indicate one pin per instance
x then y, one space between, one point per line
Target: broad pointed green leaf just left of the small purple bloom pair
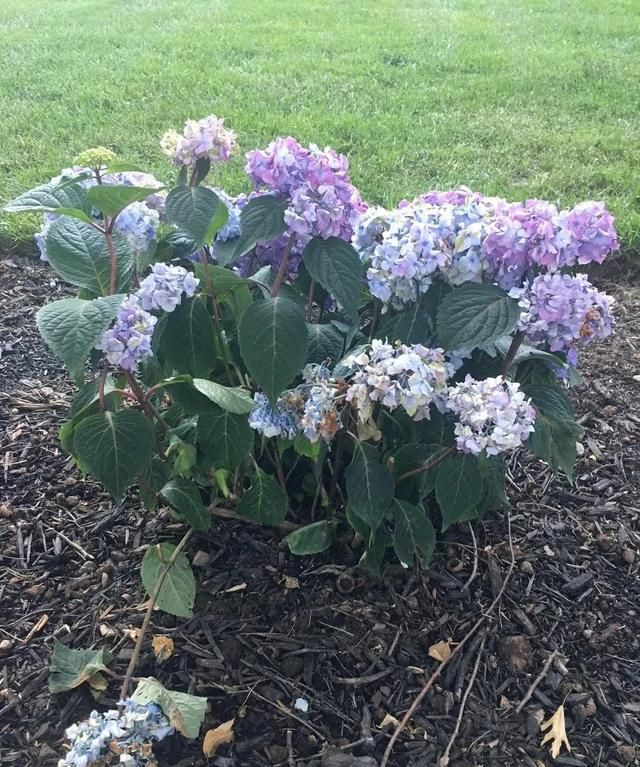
71 327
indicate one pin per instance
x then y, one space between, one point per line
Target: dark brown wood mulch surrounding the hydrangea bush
270 629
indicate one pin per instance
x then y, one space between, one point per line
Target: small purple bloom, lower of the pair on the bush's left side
128 342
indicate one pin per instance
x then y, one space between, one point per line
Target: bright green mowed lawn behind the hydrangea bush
521 98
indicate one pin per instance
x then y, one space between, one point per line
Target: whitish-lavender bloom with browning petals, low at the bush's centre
412 377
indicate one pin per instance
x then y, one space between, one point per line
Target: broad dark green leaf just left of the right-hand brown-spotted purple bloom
475 315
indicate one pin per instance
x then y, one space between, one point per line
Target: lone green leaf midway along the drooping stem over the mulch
178 590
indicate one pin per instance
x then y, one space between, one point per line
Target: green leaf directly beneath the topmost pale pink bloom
197 211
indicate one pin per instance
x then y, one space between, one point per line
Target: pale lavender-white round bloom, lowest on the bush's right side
493 415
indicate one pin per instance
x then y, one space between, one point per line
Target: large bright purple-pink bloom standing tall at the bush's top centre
322 200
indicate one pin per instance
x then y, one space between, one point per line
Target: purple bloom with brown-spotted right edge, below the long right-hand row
564 312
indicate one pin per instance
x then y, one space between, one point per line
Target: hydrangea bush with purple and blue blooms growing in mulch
293 352
